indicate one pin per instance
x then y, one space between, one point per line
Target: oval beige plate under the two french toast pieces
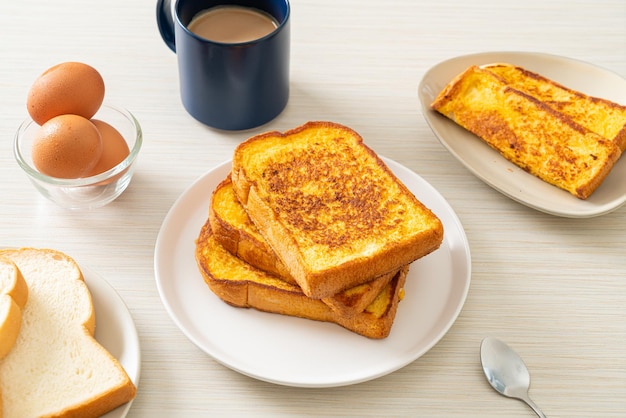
487 164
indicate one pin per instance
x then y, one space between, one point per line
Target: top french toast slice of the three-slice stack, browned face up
329 207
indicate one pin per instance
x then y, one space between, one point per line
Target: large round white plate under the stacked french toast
300 352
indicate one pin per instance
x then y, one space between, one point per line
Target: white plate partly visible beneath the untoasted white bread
115 330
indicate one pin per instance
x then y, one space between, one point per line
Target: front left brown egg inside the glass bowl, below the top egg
67 146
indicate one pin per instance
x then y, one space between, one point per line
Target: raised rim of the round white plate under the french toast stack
160 266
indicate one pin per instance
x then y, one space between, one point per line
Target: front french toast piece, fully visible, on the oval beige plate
528 132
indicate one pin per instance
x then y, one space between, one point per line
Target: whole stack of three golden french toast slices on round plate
311 223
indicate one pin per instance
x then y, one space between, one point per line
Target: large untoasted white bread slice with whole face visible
56 367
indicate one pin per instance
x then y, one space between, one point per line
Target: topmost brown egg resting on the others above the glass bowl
67 88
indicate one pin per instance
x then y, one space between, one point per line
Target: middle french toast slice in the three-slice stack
234 230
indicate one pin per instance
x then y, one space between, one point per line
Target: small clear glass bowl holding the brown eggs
87 192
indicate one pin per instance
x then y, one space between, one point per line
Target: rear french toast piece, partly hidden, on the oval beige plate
601 116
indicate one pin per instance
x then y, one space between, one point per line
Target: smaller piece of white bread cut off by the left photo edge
13 296
